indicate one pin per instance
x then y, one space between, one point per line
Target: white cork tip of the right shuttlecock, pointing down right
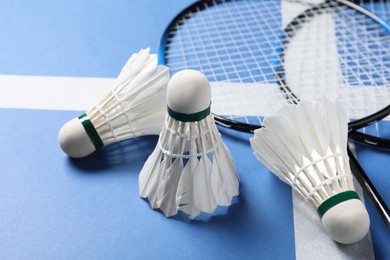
347 222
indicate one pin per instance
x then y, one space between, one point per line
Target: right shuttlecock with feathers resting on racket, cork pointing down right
305 145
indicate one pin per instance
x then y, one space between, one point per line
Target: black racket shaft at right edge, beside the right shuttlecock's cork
369 188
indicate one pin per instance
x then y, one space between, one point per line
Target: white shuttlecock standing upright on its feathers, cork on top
191 169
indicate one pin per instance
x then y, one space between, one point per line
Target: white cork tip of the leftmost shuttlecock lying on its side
74 140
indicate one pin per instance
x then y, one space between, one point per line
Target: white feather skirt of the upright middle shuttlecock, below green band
194 185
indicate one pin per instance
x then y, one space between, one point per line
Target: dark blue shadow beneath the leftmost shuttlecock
127 153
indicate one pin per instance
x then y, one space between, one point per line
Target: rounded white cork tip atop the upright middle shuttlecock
188 92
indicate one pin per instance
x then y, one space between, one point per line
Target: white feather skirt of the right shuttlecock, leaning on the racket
301 145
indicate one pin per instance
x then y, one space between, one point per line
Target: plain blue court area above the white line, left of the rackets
79 38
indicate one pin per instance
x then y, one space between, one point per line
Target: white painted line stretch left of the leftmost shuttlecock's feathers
53 93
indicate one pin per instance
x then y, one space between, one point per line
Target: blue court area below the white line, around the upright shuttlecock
56 207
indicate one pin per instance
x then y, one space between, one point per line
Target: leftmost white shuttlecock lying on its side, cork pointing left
135 106
